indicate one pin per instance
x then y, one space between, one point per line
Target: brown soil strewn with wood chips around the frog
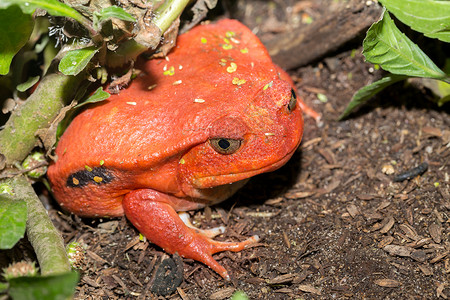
333 222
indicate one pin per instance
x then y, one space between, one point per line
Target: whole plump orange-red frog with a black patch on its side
188 132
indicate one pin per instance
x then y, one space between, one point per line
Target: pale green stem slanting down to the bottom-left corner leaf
43 236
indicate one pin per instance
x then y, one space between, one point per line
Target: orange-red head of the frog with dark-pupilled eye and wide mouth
251 138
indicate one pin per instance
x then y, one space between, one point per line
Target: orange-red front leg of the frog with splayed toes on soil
153 213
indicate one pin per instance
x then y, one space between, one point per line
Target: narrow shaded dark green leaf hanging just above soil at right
367 92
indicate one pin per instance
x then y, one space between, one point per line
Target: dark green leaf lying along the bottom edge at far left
60 286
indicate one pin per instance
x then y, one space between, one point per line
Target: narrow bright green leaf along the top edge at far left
53 7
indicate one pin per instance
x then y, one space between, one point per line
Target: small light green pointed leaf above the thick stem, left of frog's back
76 60
